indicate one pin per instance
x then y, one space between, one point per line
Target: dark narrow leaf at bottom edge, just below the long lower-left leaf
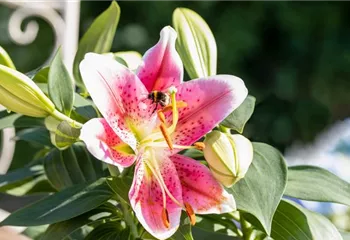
61 230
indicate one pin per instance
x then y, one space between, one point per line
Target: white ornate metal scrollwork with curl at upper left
63 17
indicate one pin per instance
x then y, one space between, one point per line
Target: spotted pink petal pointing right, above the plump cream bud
209 101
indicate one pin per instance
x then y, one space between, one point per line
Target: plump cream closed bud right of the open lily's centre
229 156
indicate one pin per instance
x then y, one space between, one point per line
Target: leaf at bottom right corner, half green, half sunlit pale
291 221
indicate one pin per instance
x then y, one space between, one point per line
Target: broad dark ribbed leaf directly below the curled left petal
72 166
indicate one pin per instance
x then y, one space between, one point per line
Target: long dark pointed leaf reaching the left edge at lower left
61 206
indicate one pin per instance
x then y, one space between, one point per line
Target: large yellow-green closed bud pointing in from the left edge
20 94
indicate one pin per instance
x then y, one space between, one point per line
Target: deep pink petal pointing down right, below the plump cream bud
200 189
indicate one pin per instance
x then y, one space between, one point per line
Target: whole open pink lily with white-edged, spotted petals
165 183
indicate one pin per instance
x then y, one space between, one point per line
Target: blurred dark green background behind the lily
294 56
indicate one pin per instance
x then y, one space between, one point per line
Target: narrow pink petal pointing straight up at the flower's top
162 66
